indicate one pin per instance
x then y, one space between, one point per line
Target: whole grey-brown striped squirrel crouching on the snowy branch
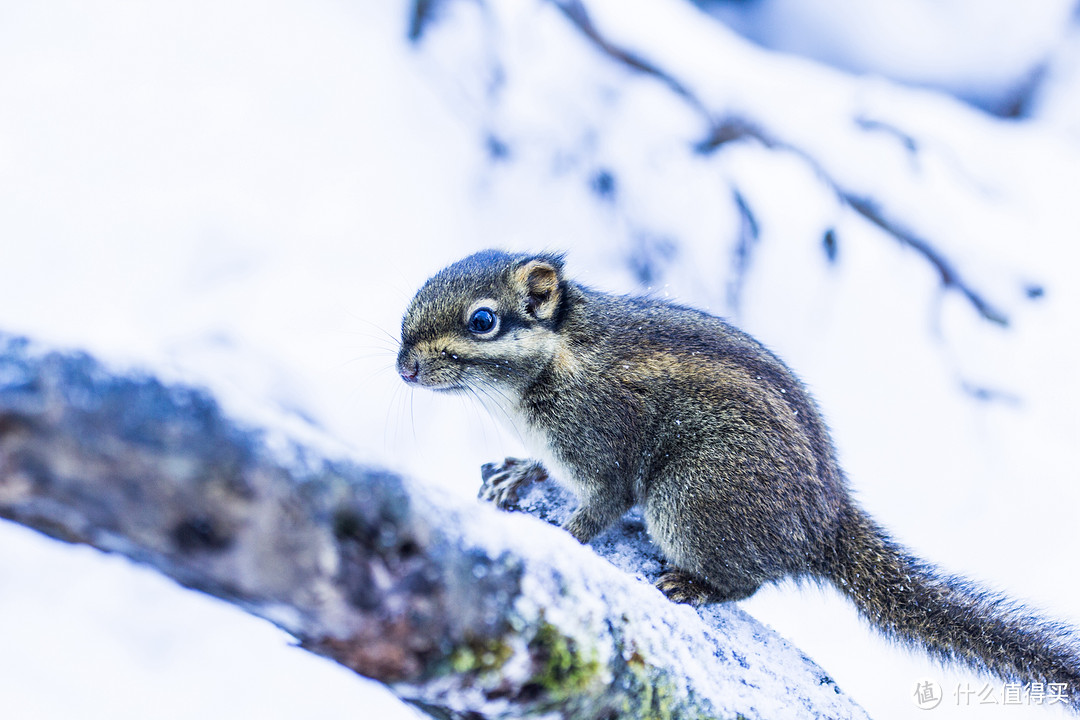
640 401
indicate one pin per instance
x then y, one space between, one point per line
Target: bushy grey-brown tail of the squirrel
950 617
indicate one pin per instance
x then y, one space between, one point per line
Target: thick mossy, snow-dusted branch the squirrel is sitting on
458 609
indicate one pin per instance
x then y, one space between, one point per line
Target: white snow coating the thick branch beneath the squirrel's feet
728 659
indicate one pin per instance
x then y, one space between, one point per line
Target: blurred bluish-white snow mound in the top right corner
981 50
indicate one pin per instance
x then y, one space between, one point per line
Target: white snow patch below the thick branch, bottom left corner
91 636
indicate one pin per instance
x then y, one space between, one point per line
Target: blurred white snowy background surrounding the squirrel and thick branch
246 196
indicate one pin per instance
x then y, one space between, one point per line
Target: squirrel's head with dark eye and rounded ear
489 322
